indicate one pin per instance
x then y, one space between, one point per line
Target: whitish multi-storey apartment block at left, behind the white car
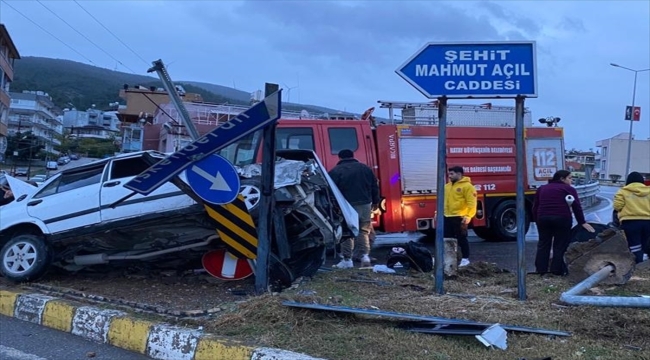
34 111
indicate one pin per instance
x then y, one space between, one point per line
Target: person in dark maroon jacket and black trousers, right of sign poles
552 213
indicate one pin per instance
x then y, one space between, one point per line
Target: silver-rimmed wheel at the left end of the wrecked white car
33 254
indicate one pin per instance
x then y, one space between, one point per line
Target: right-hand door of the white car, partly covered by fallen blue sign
166 198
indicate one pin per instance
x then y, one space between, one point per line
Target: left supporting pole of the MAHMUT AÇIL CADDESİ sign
440 189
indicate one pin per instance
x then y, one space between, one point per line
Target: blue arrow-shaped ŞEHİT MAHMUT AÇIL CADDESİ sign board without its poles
473 70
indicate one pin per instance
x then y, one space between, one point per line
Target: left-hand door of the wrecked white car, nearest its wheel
70 201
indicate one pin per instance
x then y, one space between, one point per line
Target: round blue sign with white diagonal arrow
214 179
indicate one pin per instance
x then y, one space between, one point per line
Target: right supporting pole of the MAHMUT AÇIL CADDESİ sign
521 204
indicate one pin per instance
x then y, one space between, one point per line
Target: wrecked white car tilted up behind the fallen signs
70 221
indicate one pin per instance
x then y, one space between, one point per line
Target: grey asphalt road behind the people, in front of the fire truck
503 253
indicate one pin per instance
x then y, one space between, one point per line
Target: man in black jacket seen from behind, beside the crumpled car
359 186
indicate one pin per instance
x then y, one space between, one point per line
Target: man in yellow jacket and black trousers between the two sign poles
460 208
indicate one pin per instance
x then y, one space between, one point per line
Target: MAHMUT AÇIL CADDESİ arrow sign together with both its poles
476 70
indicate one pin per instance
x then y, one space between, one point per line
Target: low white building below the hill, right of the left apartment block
92 123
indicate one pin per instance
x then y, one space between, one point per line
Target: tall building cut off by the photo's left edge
8 53
